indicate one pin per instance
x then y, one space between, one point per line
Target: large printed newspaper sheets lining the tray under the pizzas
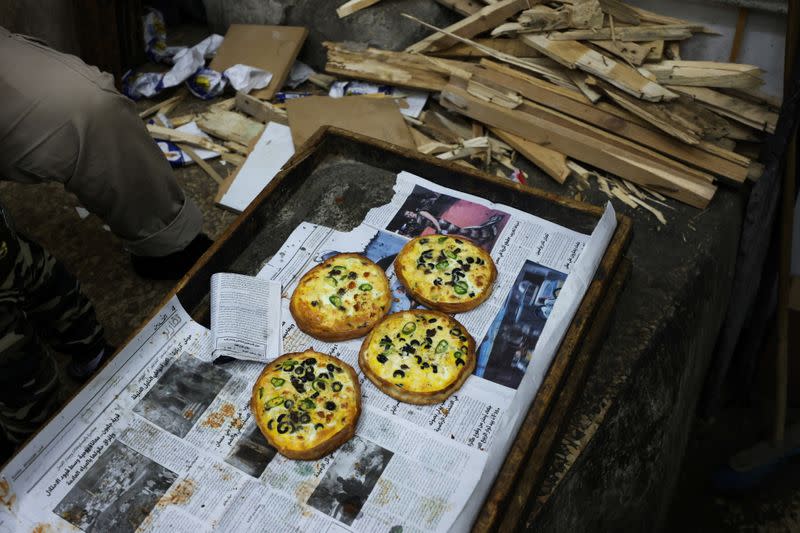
163 438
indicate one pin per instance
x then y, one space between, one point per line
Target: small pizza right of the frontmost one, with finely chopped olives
418 357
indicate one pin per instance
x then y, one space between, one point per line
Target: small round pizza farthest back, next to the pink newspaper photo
446 272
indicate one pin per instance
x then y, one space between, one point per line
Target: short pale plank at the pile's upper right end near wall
707 74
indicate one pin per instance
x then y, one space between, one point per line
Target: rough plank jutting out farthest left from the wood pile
383 66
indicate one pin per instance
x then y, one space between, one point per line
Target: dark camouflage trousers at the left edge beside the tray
41 306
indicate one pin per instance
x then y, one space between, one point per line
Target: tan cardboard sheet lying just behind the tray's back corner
376 117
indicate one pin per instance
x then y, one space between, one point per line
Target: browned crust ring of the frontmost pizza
342 433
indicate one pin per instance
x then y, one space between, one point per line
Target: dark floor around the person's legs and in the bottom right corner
123 301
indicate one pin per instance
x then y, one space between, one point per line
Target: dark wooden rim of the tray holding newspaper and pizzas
509 499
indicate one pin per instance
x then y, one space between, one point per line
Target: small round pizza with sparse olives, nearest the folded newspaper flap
341 298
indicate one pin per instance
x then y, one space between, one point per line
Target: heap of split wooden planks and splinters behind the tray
597 82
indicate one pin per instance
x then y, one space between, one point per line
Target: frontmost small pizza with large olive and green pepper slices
306 404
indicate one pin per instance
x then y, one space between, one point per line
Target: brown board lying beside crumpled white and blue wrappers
272 48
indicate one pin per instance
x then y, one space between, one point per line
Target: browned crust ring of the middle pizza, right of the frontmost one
368 351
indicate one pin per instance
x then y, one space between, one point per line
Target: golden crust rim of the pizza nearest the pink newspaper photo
406 267
